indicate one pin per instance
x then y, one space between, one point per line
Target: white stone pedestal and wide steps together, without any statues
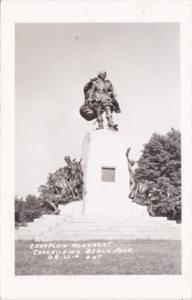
106 212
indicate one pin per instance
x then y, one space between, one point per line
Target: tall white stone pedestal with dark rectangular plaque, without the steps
106 177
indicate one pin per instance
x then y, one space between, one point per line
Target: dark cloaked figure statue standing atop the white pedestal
100 98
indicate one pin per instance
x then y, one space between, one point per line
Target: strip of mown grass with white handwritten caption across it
121 257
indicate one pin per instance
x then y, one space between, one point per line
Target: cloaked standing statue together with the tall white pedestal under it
106 178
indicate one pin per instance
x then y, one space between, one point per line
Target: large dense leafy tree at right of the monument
160 167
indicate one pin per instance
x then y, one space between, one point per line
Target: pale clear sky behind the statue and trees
55 61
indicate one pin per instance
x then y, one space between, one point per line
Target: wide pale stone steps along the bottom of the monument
68 228
